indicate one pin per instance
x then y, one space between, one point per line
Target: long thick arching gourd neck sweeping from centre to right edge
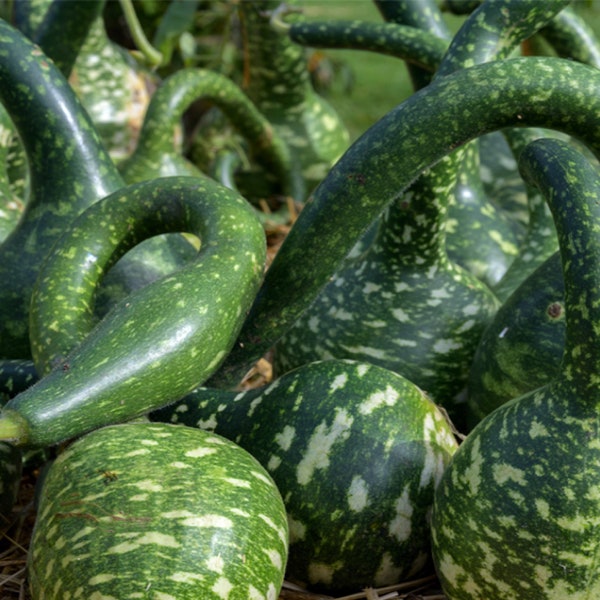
529 91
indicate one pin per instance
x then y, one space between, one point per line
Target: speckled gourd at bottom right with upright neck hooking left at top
516 513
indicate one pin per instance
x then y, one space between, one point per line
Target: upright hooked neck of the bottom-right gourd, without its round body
571 187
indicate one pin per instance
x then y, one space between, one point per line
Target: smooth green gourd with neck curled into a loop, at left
160 342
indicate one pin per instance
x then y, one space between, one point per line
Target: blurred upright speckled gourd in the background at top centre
278 82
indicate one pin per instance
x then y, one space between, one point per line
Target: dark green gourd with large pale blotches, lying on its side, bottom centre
356 452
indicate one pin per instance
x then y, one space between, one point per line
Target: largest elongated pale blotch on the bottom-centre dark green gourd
320 443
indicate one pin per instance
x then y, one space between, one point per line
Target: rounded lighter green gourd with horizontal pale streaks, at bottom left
161 511
